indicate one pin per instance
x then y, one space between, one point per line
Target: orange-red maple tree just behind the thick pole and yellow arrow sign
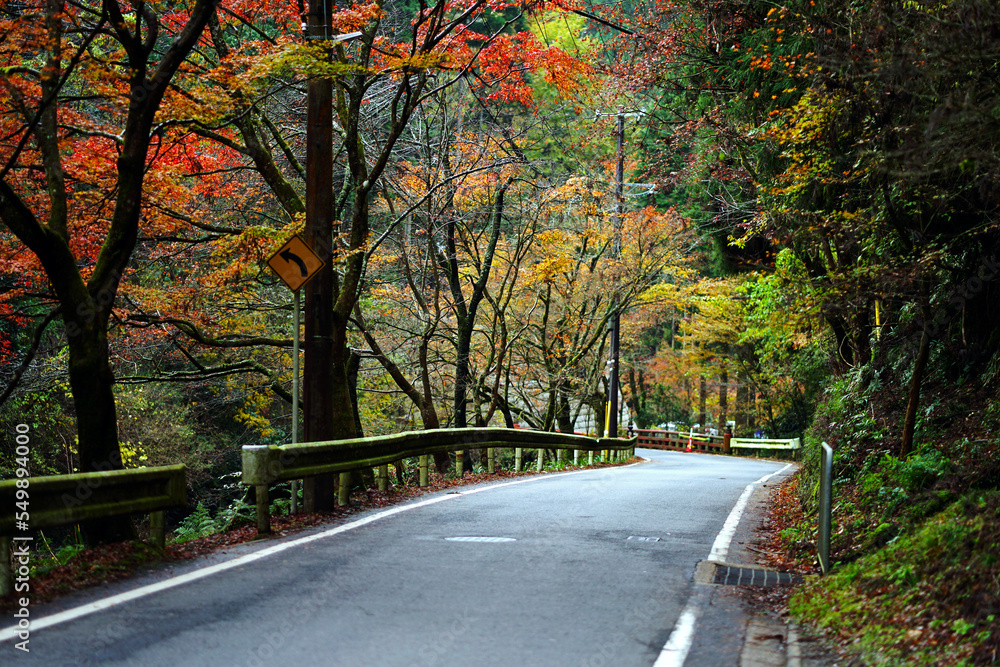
223 123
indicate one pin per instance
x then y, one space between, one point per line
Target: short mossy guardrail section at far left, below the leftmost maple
31 503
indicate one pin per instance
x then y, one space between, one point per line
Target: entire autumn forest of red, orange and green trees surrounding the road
808 246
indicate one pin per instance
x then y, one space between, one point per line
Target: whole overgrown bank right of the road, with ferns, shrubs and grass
917 540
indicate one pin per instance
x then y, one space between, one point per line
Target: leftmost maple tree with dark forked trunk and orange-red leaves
82 242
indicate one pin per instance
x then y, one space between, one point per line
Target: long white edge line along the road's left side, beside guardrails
115 600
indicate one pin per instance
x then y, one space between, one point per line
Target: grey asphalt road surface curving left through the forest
587 568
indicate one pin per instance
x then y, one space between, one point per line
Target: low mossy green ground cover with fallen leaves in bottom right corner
896 605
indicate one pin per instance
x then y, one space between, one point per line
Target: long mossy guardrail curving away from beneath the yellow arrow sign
264 465
